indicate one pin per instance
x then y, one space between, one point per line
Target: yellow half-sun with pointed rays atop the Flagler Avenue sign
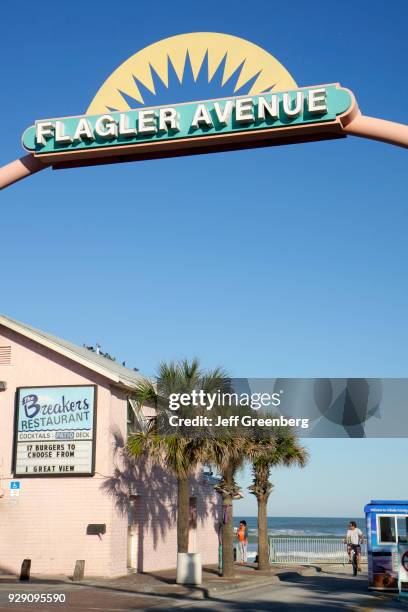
204 64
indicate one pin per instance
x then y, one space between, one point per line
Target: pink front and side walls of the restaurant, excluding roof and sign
47 522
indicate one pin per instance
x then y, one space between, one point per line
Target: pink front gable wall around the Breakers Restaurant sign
47 522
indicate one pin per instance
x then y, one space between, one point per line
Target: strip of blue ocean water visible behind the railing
298 526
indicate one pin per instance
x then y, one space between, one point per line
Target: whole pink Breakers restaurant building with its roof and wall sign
65 492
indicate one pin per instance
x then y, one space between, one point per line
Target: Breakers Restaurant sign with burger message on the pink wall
54 433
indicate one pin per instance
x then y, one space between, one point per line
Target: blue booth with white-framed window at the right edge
387 533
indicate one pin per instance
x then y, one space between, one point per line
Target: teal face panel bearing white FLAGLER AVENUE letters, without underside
115 129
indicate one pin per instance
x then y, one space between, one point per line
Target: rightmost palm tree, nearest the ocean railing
281 447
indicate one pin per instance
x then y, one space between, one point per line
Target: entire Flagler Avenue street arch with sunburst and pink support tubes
245 99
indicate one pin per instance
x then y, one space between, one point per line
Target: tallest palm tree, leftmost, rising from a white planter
181 455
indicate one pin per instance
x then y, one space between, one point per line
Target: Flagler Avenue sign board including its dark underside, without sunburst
236 122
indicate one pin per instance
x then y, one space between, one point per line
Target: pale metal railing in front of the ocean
309 550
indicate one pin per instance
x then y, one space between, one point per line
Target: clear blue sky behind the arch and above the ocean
286 261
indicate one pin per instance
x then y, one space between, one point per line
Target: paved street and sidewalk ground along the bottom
290 588
